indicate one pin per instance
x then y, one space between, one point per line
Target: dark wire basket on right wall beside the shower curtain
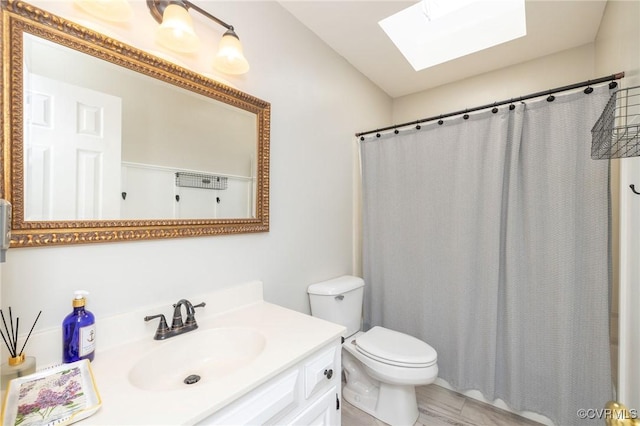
616 134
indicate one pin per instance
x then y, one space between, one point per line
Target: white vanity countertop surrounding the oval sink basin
290 337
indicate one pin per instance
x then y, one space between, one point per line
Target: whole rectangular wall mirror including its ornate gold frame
103 142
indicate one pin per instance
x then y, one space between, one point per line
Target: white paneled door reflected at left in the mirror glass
72 151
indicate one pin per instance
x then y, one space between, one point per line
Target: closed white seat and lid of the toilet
395 348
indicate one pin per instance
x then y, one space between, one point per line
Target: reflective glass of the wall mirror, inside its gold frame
104 142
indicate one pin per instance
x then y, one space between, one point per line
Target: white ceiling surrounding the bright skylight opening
351 29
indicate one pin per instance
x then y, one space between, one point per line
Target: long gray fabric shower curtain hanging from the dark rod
488 239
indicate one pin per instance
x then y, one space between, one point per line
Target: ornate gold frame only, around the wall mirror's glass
19 18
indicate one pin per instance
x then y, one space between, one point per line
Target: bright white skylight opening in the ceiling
435 31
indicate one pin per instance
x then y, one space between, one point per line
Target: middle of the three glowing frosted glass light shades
176 31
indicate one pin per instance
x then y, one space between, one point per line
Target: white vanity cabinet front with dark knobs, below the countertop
308 393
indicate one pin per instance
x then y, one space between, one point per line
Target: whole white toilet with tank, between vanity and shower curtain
382 367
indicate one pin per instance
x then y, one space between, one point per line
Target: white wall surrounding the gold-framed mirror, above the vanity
318 102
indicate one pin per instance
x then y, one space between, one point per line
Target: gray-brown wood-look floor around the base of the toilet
442 407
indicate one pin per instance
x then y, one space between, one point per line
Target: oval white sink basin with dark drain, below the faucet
203 355
